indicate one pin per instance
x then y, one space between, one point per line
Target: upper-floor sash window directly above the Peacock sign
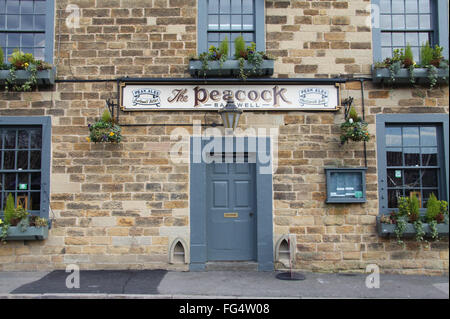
220 19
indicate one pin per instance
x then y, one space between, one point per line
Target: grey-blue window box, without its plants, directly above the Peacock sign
230 68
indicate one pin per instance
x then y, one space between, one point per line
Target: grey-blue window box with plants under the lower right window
407 221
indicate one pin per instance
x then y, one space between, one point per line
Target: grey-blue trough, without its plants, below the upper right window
383 75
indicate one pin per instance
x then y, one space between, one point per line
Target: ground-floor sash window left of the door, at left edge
25 163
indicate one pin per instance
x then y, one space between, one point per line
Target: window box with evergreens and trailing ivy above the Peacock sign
247 62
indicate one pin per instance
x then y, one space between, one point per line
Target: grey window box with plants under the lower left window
18 224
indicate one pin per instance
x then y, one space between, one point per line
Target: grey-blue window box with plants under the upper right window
402 69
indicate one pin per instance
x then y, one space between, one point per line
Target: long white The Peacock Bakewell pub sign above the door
174 96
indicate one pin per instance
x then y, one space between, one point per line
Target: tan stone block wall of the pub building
127 205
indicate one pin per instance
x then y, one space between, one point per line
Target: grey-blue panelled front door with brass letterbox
231 211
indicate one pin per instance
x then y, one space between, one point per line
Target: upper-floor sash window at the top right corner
412 22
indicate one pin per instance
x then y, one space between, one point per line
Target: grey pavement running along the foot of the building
162 284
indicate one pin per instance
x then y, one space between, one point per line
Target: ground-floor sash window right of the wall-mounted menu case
412 158
